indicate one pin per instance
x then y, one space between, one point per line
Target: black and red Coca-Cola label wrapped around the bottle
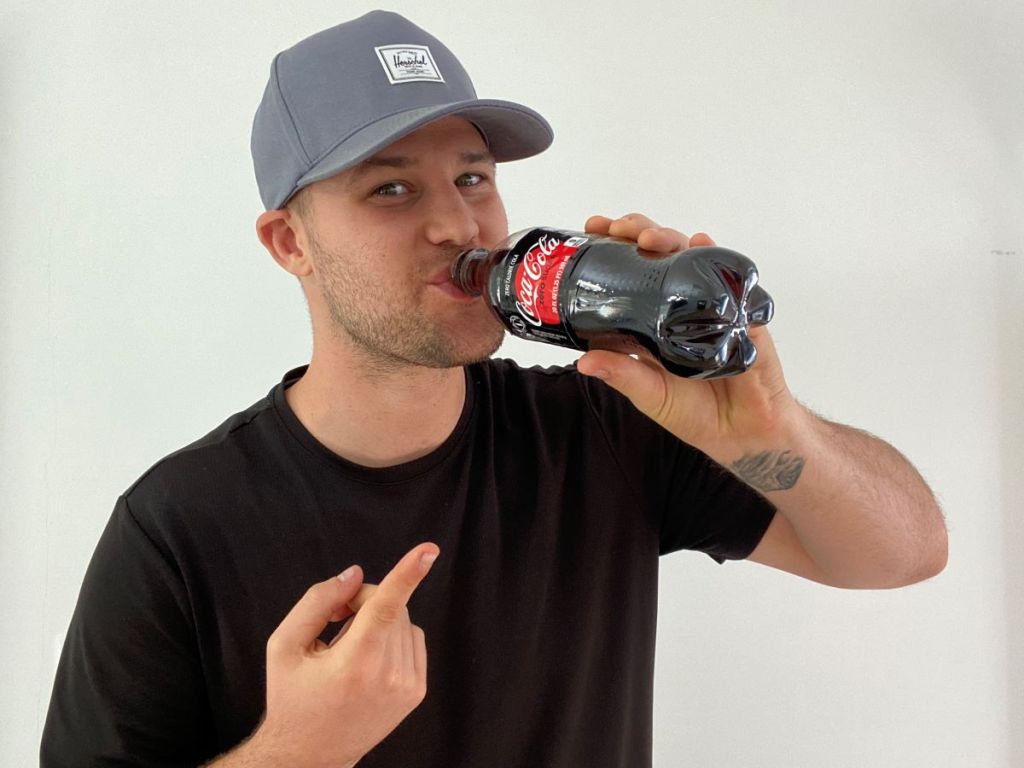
532 278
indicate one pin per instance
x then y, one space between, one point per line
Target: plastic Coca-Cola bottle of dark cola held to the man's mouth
691 309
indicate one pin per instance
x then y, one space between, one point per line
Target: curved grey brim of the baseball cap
513 133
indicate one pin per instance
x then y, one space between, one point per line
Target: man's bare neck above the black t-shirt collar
376 415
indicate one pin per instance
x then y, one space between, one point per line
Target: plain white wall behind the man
869 156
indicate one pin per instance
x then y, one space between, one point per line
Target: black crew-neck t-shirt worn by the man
551 502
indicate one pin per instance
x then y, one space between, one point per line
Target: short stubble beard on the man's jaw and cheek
396 332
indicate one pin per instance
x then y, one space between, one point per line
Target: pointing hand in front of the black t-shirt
327 706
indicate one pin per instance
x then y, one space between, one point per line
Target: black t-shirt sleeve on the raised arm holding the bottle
697 503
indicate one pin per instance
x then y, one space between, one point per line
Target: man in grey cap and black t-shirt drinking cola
538 500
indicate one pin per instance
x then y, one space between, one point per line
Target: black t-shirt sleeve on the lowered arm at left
130 686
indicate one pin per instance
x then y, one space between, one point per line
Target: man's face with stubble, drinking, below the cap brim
382 239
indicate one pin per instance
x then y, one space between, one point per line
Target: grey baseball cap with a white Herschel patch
344 95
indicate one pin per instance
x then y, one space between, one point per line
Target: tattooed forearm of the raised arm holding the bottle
862 513
